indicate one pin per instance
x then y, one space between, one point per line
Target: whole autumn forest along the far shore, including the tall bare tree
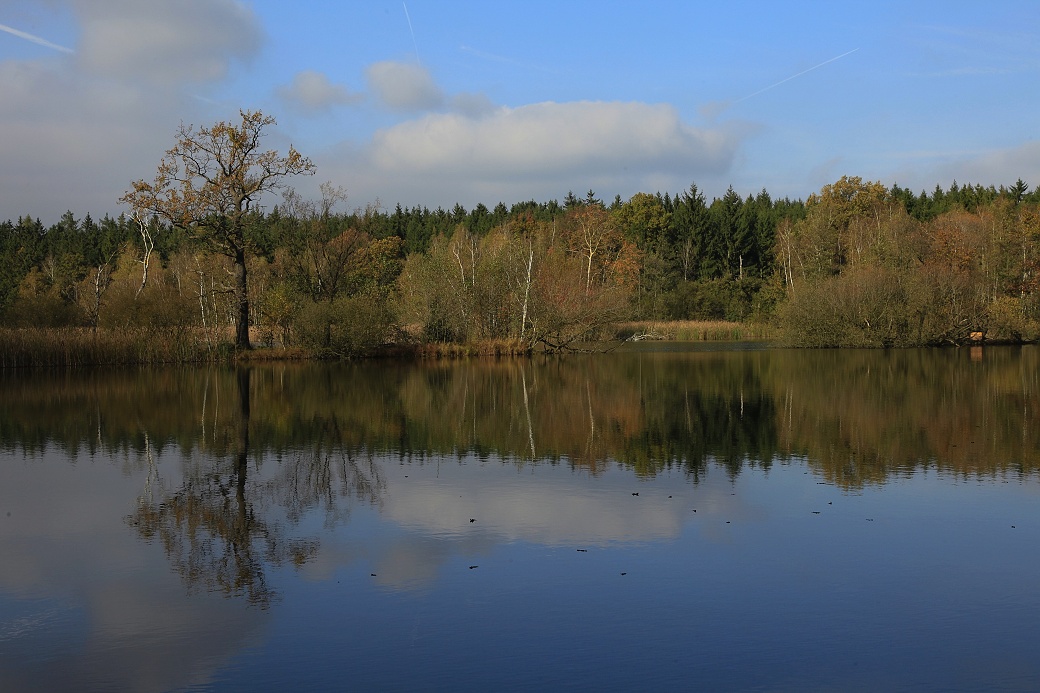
857 264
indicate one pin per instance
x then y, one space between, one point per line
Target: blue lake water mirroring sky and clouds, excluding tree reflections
926 583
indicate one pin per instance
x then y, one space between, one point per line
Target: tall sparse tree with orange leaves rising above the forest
210 185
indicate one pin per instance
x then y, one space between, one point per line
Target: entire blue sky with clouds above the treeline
433 104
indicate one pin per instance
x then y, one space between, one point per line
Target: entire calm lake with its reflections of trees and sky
663 518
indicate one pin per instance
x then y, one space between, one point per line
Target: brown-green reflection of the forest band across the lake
855 417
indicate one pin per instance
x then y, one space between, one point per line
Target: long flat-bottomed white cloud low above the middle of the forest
536 152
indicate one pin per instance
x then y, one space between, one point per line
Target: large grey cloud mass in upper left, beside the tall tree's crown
79 130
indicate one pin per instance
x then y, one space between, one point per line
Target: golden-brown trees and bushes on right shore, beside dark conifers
860 271
